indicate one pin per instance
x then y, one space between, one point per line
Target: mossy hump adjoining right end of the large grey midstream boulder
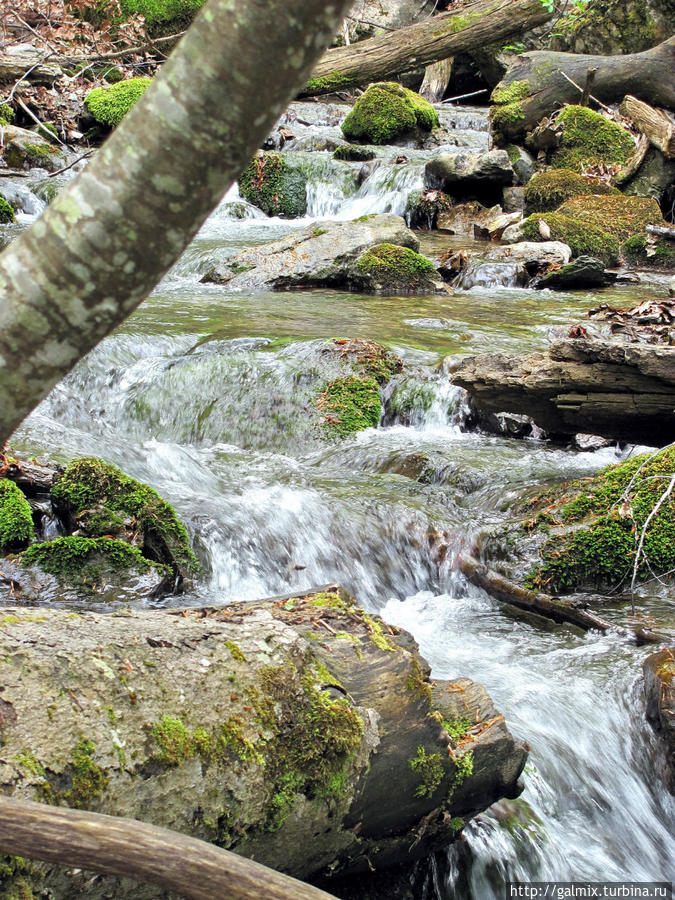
389 268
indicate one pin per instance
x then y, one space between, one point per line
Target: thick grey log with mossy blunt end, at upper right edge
535 85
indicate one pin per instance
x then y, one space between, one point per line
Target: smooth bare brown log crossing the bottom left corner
148 854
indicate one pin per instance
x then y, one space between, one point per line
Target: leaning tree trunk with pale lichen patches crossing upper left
106 240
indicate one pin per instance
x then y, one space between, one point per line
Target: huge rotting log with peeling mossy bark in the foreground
298 731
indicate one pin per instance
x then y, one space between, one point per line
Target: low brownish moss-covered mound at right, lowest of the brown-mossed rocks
615 214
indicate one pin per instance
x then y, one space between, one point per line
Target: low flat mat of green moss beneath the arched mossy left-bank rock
82 560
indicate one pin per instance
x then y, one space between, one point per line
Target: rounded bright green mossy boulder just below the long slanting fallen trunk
386 111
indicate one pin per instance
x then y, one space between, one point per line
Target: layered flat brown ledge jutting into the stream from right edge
620 391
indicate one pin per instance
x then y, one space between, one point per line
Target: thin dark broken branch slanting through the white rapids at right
507 591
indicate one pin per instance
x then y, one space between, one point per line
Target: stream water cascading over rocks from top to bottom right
201 393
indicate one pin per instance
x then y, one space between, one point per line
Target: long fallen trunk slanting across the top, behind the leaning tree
376 59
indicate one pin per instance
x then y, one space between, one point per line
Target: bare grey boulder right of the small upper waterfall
469 169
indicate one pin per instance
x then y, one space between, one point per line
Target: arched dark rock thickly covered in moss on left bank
96 498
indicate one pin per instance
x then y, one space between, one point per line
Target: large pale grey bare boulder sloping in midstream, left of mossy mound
324 254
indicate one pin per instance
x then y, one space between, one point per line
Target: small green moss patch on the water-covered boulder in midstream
350 404
